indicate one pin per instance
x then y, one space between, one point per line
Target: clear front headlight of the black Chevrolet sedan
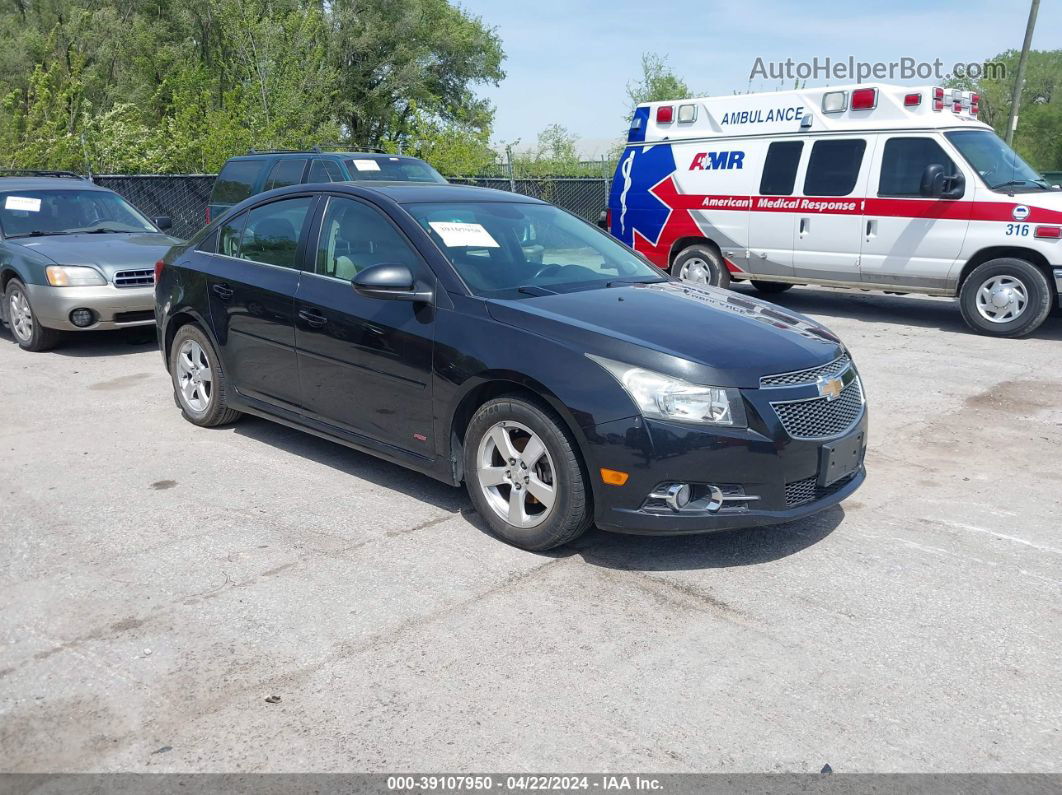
666 397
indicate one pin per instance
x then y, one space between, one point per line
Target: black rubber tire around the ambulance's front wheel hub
1033 282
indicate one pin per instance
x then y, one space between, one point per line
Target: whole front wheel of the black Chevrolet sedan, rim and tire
524 476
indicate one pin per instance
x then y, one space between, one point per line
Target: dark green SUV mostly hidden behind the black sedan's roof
256 172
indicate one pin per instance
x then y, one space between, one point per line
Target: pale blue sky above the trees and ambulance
569 62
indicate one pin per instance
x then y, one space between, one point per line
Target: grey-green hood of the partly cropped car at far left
110 253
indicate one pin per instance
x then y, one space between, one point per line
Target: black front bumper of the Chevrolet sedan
762 461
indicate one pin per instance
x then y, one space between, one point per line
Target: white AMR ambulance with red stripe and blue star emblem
876 187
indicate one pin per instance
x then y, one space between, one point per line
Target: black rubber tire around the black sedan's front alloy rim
571 514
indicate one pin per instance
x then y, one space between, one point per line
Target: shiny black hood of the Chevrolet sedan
704 335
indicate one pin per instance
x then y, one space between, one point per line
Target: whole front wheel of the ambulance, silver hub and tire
1006 298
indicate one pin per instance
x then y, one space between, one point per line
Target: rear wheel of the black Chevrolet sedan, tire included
199 381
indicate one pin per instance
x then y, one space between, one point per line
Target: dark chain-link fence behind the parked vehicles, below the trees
183 198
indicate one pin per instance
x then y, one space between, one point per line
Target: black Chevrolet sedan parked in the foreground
491 339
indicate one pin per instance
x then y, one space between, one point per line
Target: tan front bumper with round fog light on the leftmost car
113 307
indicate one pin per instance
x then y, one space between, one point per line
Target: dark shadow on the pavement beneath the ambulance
902 310
